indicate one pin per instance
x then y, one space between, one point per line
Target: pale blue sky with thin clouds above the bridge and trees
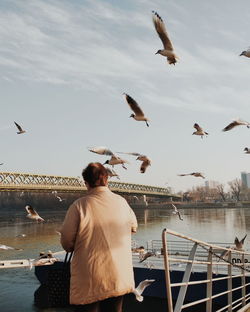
65 64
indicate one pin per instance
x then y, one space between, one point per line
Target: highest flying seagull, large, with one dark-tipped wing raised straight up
160 28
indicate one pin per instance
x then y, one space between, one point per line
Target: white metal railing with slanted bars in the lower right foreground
206 260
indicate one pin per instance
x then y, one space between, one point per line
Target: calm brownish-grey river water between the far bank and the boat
17 286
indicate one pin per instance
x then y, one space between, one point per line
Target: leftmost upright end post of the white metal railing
167 274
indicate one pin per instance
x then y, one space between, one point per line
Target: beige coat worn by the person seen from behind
98 228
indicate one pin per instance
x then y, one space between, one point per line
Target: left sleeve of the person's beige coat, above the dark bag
70 228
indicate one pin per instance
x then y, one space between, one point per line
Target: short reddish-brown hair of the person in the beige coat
95 174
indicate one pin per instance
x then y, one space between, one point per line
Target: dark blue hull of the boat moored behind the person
155 294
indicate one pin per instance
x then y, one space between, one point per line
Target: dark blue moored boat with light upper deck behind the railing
190 274
